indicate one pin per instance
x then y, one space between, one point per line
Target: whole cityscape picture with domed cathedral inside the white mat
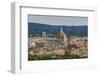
57 37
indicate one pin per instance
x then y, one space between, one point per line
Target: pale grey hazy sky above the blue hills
58 20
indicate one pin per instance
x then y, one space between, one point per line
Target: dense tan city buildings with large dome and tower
59 45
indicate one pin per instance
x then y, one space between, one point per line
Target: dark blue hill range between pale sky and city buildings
35 29
